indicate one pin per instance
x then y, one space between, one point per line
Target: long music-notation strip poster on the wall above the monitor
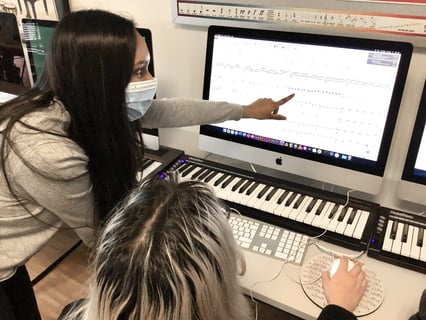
412 25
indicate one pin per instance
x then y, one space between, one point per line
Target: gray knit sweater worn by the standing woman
56 187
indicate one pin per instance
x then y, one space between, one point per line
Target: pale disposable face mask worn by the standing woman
139 97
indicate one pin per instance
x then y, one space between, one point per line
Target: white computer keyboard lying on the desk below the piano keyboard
268 240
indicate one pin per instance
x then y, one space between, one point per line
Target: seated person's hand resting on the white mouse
345 288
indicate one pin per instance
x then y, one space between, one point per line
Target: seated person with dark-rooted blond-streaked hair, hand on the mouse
168 252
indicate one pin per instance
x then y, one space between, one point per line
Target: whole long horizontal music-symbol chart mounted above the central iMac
392 18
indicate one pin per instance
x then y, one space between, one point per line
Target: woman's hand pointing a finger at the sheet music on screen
265 109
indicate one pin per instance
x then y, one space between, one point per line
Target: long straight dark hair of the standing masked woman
87 67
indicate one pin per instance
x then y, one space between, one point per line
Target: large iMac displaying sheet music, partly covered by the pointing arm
339 124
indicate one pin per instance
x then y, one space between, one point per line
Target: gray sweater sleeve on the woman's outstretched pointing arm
180 112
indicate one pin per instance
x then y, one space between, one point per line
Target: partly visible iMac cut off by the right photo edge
412 186
